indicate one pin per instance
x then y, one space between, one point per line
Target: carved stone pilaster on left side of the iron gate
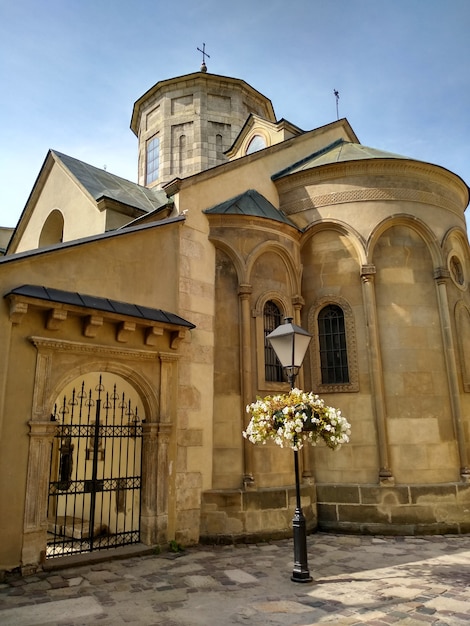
37 492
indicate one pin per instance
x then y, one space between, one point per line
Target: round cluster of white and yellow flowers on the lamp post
295 418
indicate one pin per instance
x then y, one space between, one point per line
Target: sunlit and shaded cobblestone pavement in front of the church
378 581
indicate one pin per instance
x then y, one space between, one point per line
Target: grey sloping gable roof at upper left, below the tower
103 184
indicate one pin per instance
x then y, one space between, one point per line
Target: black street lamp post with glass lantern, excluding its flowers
290 343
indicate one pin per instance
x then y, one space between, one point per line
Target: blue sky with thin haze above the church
71 71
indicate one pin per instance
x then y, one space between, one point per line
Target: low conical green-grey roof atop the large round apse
337 152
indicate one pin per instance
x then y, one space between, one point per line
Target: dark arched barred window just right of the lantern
333 351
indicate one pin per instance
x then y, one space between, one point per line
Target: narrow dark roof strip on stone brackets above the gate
100 304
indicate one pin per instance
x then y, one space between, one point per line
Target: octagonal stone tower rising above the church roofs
185 124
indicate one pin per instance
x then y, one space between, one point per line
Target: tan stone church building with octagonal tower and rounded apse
133 324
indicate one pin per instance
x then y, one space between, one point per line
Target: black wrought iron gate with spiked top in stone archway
95 480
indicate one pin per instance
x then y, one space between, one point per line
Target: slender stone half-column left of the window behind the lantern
244 293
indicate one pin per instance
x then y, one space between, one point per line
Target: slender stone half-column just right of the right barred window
376 372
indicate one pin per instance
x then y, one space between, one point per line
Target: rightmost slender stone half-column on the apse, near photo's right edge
441 276
